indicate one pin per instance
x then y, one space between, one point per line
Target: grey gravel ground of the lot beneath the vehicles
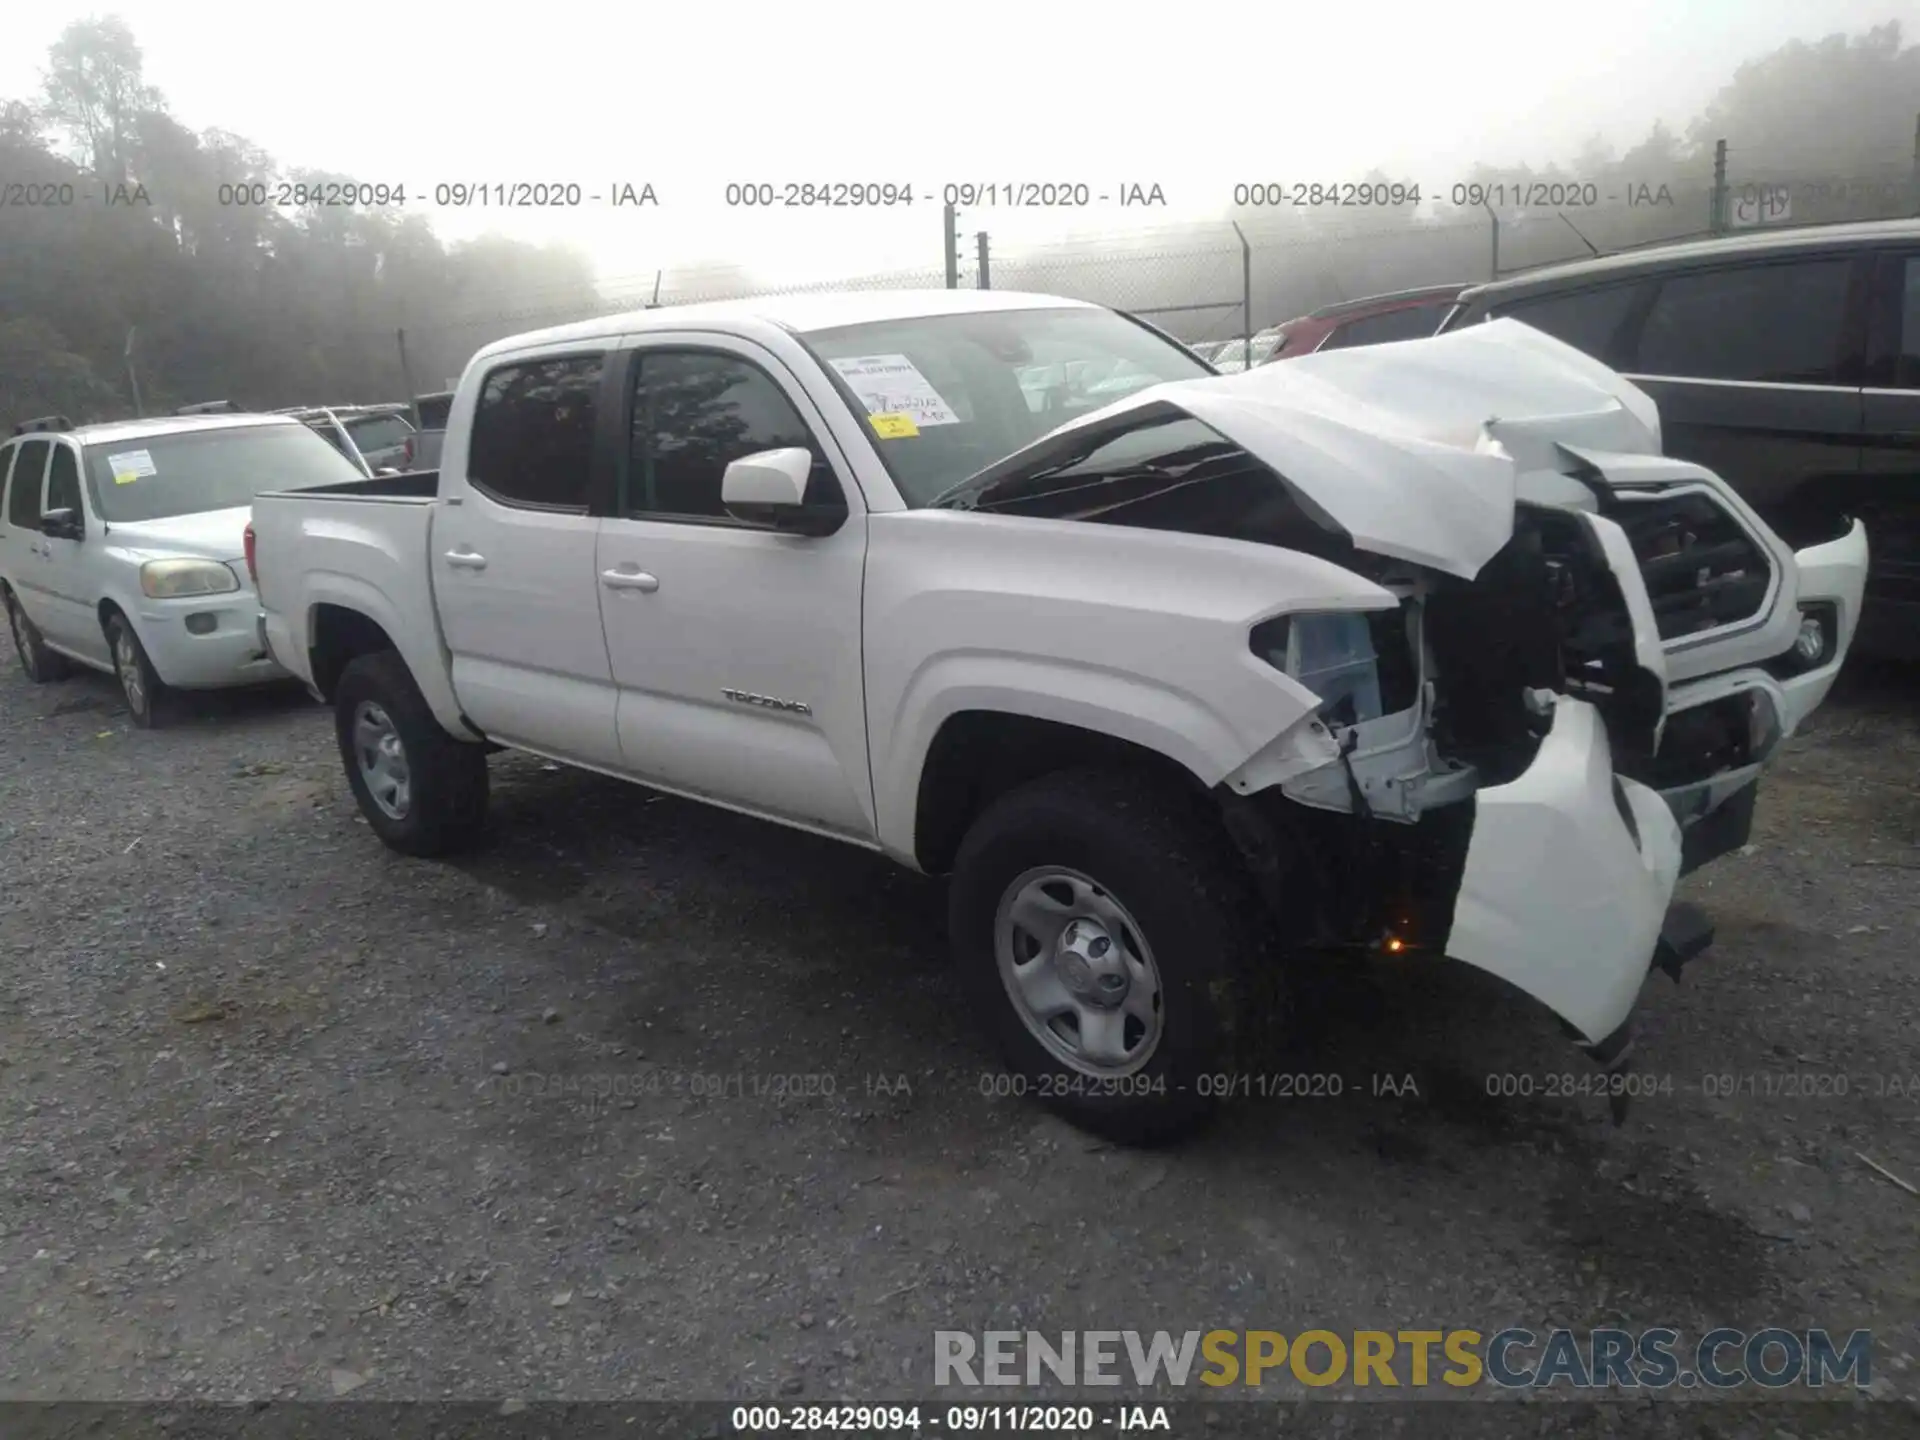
650 1101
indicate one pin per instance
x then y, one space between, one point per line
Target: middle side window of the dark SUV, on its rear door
1777 324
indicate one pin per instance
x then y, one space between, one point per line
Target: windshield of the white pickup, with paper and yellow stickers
951 395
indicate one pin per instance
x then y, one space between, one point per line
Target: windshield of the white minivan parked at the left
195 471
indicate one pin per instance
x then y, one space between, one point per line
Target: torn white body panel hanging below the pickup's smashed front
1558 896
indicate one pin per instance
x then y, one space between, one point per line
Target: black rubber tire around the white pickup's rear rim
446 790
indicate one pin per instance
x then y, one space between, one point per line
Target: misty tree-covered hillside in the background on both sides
151 281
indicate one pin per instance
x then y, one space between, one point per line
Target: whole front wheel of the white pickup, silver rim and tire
1103 926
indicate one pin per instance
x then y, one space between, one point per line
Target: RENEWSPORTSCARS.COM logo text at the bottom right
1518 1360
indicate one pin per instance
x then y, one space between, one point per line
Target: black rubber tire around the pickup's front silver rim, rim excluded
1170 867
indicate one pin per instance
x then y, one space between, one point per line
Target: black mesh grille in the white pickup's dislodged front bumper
1700 565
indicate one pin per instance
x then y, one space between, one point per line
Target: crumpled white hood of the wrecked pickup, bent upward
1416 450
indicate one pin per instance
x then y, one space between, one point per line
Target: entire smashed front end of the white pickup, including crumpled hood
1579 660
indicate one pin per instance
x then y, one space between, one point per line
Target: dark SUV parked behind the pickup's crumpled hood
1787 362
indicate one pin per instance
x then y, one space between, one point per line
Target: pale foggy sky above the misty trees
694 97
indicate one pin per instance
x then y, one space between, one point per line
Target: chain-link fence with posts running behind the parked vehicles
1216 281
